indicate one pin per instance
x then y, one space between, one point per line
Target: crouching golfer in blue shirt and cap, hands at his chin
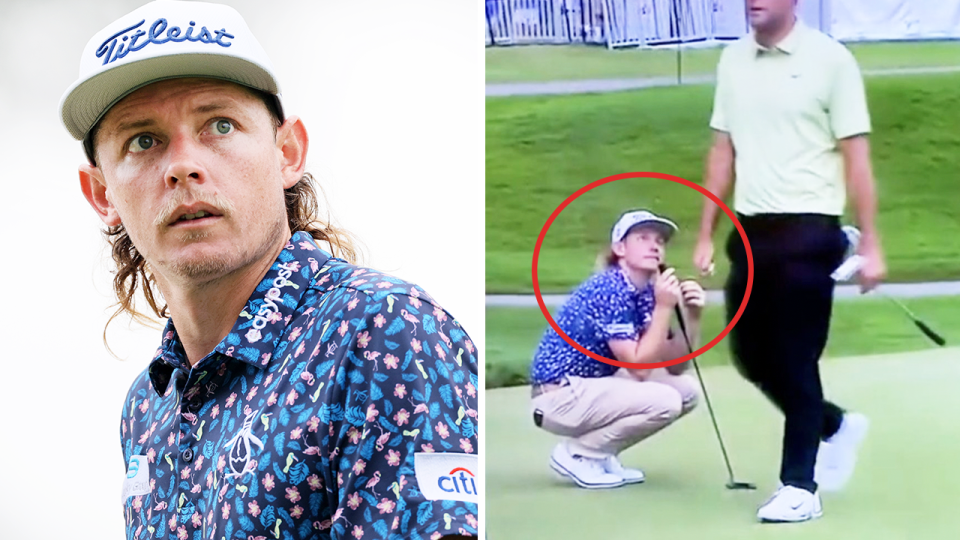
622 312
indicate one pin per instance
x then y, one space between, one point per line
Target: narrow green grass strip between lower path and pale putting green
862 326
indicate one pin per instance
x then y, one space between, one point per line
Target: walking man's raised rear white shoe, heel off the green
837 456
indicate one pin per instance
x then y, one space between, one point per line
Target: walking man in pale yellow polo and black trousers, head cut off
791 123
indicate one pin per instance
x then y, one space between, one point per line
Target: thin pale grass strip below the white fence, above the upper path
549 63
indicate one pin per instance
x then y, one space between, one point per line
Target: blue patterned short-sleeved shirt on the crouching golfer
607 306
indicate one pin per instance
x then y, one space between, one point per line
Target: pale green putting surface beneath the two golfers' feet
906 475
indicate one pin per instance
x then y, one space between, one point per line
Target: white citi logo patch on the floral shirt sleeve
448 476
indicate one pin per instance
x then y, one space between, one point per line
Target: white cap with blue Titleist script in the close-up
164 39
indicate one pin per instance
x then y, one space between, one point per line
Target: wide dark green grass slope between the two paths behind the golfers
540 150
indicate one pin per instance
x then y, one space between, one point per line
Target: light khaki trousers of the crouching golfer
605 415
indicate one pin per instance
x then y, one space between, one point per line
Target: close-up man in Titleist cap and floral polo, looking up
294 394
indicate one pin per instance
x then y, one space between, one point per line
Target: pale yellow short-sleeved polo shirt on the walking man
785 108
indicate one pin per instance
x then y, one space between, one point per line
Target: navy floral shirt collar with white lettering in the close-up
262 321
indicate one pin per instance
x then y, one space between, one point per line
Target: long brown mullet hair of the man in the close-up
303 208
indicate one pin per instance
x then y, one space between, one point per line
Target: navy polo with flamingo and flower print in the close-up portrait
343 404
